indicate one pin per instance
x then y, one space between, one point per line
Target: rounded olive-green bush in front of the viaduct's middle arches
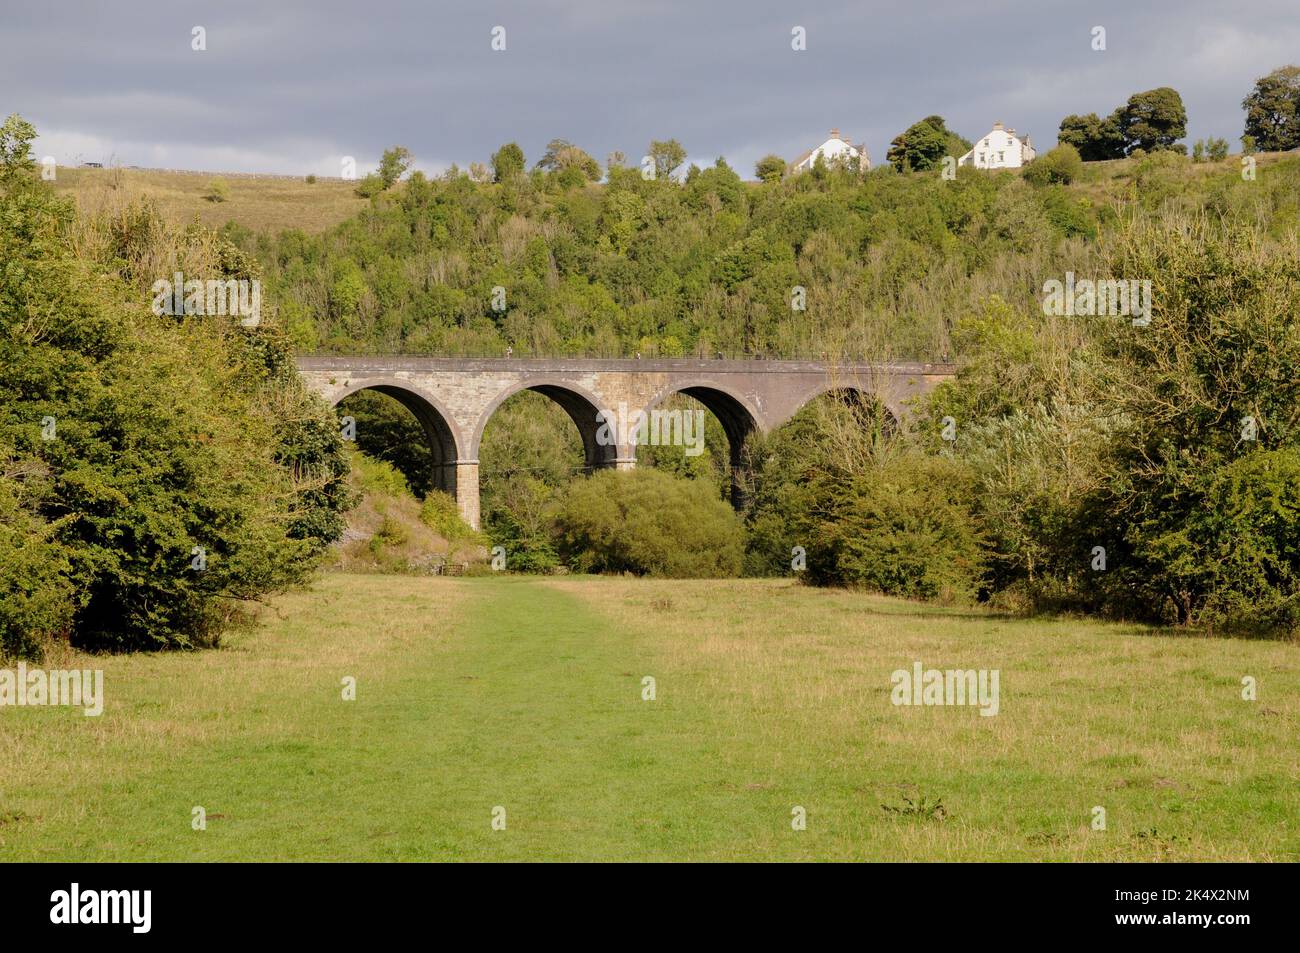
651 525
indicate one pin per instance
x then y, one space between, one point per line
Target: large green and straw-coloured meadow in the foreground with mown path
527 695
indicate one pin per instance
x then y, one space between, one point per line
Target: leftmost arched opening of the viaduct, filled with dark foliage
404 428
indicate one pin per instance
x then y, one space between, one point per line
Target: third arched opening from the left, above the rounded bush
736 421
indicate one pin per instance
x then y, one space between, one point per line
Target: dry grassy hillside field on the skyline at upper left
262 203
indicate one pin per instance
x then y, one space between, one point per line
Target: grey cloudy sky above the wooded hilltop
292 86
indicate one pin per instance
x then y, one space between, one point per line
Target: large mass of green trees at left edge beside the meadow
167 469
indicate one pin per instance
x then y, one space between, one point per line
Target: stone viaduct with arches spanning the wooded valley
453 398
